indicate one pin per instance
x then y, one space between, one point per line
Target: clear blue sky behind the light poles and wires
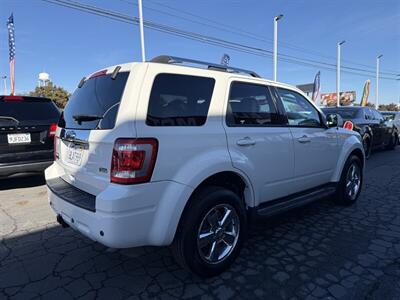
69 44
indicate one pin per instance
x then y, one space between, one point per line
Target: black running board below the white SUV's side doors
280 205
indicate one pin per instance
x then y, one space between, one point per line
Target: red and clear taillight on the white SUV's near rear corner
133 160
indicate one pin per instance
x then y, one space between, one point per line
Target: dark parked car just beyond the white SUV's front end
370 124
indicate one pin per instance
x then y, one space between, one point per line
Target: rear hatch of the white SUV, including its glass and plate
88 129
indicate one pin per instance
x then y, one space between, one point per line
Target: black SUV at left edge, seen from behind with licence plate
27 128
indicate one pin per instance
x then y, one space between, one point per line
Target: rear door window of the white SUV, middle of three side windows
250 104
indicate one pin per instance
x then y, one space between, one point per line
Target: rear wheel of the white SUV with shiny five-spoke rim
204 214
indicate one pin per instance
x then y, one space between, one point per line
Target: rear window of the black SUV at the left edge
33 111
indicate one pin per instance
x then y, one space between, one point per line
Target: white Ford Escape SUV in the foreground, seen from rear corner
162 153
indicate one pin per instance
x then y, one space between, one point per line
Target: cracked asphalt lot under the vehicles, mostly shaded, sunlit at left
320 251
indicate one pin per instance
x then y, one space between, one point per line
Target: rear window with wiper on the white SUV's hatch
95 104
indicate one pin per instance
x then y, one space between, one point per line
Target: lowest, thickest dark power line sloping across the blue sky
199 37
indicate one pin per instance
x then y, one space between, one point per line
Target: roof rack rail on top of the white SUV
166 59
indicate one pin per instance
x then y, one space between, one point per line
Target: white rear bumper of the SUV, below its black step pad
126 216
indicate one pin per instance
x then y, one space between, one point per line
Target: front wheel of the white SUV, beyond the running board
349 186
